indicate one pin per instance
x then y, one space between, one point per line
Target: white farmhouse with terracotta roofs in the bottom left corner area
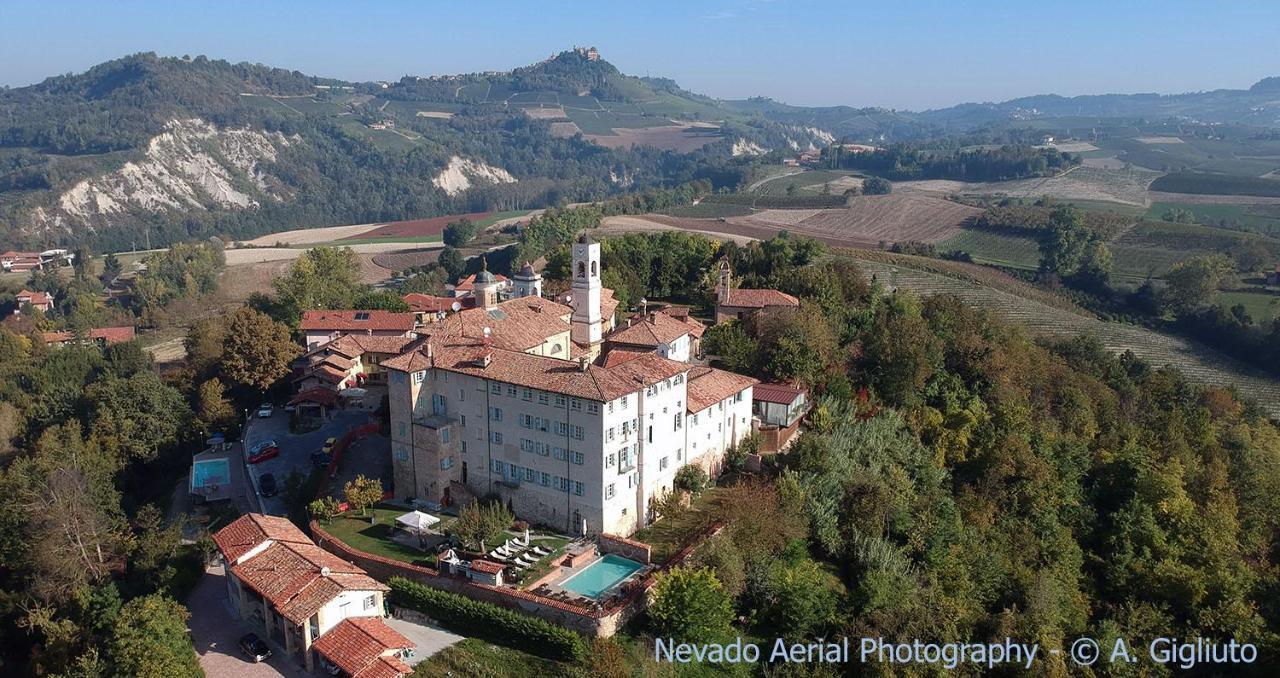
305 598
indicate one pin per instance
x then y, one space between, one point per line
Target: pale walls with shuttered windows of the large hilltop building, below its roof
574 465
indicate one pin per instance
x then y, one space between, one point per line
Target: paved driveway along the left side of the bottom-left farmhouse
216 633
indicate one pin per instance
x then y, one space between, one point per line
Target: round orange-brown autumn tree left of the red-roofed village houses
257 350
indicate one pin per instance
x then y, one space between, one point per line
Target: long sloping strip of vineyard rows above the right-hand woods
1059 320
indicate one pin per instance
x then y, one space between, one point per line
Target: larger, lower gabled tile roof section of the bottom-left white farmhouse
300 579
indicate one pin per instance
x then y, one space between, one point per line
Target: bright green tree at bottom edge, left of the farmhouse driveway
150 640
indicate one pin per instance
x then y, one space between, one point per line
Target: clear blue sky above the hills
897 54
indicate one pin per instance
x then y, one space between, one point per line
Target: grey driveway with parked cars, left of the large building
295 450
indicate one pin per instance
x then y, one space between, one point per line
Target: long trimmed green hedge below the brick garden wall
490 622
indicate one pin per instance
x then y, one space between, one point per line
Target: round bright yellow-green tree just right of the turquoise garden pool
691 606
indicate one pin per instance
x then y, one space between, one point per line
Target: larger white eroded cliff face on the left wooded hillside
193 166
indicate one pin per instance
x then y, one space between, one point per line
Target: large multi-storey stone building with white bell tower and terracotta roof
511 398
